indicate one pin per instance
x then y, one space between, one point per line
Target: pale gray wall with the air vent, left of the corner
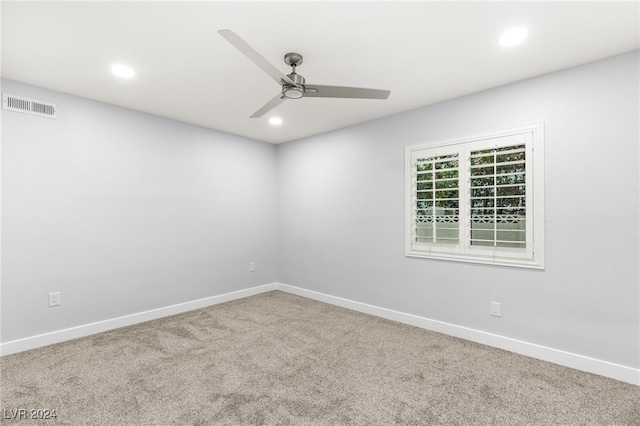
124 212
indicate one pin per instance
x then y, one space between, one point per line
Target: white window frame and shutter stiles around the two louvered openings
532 256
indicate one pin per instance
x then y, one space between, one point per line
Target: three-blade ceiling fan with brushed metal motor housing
293 85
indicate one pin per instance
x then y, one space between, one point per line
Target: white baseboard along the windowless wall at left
58 336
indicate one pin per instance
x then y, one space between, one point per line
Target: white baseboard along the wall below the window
556 356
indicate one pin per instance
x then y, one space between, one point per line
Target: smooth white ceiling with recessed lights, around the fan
424 52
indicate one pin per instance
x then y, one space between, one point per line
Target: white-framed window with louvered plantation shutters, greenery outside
478 199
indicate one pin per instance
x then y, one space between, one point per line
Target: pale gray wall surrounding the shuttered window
341 215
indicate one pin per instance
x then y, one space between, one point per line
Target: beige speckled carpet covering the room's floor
278 359
